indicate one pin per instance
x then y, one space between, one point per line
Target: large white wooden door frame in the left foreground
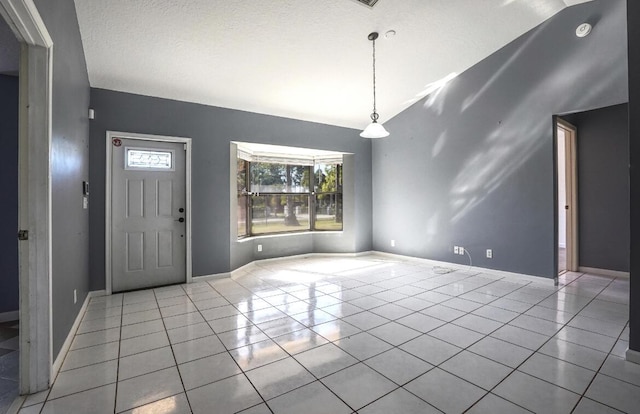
34 192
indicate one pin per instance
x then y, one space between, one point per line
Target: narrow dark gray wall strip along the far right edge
633 20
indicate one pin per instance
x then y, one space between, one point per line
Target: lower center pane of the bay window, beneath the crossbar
279 213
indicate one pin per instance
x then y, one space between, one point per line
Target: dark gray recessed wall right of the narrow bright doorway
603 187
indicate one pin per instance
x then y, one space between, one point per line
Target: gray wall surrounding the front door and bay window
212 129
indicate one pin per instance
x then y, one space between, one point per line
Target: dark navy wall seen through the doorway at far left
9 187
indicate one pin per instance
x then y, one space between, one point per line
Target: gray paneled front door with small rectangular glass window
148 213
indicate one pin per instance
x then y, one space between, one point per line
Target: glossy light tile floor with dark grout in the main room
353 335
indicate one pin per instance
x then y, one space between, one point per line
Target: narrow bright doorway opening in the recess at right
566 196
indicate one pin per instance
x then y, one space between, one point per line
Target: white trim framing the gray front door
109 158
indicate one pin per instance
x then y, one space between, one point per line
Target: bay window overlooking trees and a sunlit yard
285 193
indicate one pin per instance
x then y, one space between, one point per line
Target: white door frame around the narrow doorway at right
571 175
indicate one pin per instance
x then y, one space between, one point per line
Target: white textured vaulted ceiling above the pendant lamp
303 59
